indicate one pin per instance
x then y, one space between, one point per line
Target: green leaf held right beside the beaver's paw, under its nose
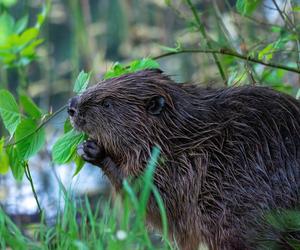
65 146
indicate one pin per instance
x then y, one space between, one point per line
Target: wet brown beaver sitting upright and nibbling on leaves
230 155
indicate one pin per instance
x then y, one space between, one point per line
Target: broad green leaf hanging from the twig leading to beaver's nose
29 139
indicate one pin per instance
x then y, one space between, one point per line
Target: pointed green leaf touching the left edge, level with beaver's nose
9 111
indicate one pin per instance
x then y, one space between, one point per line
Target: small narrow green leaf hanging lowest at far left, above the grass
15 162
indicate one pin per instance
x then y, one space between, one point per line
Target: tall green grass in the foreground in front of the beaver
110 225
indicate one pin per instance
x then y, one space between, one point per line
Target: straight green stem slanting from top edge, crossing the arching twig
204 34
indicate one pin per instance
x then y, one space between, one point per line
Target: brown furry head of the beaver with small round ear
128 115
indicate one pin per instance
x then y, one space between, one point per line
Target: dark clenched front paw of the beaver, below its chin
91 152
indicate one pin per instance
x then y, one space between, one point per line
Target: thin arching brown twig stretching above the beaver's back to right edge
225 51
